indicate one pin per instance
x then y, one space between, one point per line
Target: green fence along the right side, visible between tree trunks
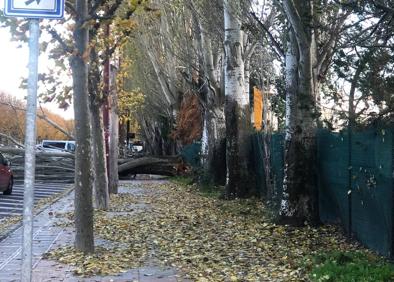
355 181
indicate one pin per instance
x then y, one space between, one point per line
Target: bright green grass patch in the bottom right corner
350 267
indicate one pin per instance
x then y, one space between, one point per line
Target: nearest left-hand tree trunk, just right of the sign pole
84 238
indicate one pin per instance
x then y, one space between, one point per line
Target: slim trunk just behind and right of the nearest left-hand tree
100 187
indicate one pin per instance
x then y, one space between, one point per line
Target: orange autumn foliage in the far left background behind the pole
12 120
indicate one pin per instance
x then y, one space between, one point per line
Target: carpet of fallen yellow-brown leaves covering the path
205 239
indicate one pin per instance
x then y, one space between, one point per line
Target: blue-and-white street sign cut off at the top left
43 9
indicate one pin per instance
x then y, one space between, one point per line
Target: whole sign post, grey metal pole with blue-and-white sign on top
34 10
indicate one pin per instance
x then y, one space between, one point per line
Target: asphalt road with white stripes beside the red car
11 205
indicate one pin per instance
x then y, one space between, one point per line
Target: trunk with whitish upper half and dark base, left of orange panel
236 106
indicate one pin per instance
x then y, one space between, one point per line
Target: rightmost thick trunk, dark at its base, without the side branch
300 200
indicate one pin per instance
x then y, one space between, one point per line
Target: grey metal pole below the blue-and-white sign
30 157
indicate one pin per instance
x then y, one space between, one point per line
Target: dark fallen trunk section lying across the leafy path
168 166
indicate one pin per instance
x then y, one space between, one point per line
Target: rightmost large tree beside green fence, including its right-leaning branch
315 28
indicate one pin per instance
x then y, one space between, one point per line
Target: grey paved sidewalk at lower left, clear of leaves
49 235
